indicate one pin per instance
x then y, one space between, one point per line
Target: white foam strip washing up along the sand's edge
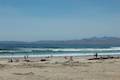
60 55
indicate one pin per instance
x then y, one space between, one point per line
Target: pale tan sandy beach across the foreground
57 68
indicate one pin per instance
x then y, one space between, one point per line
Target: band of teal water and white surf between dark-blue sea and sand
45 52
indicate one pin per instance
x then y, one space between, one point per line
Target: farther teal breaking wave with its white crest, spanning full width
72 50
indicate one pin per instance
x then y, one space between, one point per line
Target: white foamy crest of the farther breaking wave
71 49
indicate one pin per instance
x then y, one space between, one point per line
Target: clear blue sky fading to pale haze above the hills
34 20
